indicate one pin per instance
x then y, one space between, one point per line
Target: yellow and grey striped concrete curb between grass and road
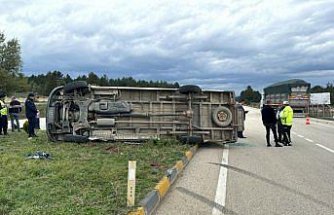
152 200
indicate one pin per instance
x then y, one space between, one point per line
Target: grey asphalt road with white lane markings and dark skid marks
260 180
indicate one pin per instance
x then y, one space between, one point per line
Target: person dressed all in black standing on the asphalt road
269 121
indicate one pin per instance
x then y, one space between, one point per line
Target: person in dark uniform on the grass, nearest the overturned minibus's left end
31 113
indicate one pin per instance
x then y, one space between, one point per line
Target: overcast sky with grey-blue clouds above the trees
221 44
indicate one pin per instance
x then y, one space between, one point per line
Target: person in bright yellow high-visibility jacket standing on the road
286 119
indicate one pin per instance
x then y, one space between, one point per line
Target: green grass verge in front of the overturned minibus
80 178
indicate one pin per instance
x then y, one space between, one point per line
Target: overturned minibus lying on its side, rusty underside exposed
78 112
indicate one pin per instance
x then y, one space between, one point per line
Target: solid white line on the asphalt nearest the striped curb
221 185
